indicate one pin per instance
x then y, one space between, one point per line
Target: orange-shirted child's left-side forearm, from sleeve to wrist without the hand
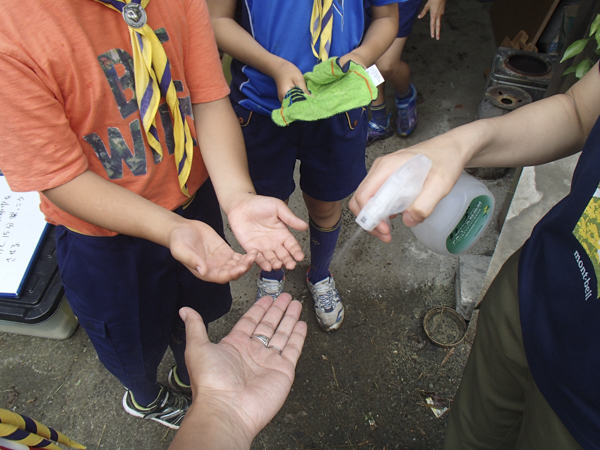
107 205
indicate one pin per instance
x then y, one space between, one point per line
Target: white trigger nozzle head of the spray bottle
396 194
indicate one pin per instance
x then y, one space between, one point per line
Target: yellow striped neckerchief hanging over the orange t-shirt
153 80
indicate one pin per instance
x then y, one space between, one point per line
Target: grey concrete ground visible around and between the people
363 386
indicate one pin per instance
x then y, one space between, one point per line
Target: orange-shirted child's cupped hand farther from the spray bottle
198 247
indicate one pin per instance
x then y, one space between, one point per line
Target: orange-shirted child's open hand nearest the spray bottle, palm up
261 224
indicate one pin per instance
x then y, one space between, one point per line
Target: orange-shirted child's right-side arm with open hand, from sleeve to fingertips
259 223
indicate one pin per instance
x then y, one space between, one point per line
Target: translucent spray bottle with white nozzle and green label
456 223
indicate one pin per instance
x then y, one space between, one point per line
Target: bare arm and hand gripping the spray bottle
540 132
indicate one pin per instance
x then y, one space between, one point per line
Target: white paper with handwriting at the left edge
22 228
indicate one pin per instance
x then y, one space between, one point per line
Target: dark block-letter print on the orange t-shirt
117 66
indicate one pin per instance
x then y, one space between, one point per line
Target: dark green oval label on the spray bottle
471 225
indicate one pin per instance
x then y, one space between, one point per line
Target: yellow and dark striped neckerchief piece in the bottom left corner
26 431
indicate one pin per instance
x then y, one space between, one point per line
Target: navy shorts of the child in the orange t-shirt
127 291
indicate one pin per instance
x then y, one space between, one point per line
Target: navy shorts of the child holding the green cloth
331 154
